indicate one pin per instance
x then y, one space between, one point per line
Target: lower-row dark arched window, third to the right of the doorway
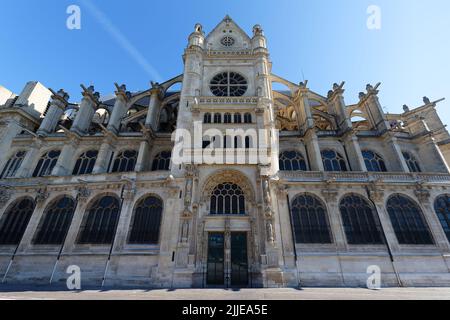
408 221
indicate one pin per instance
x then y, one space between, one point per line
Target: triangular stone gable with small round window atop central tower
227 35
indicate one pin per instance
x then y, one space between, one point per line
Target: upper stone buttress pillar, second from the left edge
86 111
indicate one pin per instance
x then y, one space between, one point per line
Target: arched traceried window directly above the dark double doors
227 198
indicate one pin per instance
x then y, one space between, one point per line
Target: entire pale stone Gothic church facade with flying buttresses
225 182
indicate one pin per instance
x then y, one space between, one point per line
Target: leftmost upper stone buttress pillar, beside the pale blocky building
54 113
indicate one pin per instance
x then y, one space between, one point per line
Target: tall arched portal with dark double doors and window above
228 230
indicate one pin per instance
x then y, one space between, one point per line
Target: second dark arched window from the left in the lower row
56 222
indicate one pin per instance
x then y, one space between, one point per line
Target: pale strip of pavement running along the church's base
14 293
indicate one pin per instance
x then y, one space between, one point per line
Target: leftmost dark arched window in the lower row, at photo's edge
14 222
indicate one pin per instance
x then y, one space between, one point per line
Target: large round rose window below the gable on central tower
228 84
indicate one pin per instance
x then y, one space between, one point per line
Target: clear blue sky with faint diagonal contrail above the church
136 41
